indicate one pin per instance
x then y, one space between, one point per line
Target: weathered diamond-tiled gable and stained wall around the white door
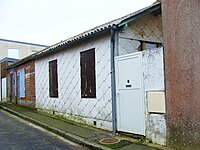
141 34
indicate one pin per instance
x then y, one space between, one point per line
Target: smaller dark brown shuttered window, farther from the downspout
53 79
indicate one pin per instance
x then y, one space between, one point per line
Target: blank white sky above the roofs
50 21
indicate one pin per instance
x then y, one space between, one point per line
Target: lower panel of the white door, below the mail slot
131 112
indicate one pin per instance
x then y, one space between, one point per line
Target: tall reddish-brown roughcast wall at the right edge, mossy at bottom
181 25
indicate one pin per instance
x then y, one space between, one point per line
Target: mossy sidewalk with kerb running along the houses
74 132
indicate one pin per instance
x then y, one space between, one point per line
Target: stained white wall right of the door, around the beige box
153 68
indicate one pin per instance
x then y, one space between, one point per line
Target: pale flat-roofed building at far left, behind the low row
10 52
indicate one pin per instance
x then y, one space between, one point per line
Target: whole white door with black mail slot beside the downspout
130 96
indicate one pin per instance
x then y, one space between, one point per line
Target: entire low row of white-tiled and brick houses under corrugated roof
111 77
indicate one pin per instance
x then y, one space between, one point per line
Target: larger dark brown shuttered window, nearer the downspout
88 81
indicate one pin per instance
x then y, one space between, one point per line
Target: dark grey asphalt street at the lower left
15 135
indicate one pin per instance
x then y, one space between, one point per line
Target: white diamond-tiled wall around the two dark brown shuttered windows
69 103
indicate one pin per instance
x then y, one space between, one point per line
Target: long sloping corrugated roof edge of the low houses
95 31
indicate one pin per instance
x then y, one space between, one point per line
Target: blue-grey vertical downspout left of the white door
113 85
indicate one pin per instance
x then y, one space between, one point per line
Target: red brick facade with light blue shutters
21 84
